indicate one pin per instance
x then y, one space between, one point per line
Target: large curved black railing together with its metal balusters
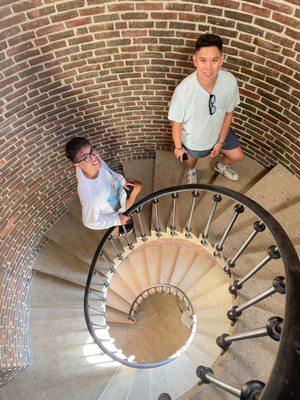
284 380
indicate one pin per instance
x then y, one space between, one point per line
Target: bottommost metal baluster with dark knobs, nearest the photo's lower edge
249 391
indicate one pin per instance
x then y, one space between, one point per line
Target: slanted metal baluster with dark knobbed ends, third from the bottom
278 286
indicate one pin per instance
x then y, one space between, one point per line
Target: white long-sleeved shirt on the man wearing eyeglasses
102 198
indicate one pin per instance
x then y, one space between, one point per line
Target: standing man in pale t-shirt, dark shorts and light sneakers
201 111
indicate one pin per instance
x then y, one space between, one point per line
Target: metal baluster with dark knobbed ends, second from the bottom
272 329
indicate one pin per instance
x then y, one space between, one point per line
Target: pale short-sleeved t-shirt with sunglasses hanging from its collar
189 106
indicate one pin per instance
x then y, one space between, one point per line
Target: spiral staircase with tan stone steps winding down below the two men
190 243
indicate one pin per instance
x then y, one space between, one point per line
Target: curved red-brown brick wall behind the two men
107 70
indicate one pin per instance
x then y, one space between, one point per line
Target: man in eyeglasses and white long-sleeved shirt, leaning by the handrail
104 195
